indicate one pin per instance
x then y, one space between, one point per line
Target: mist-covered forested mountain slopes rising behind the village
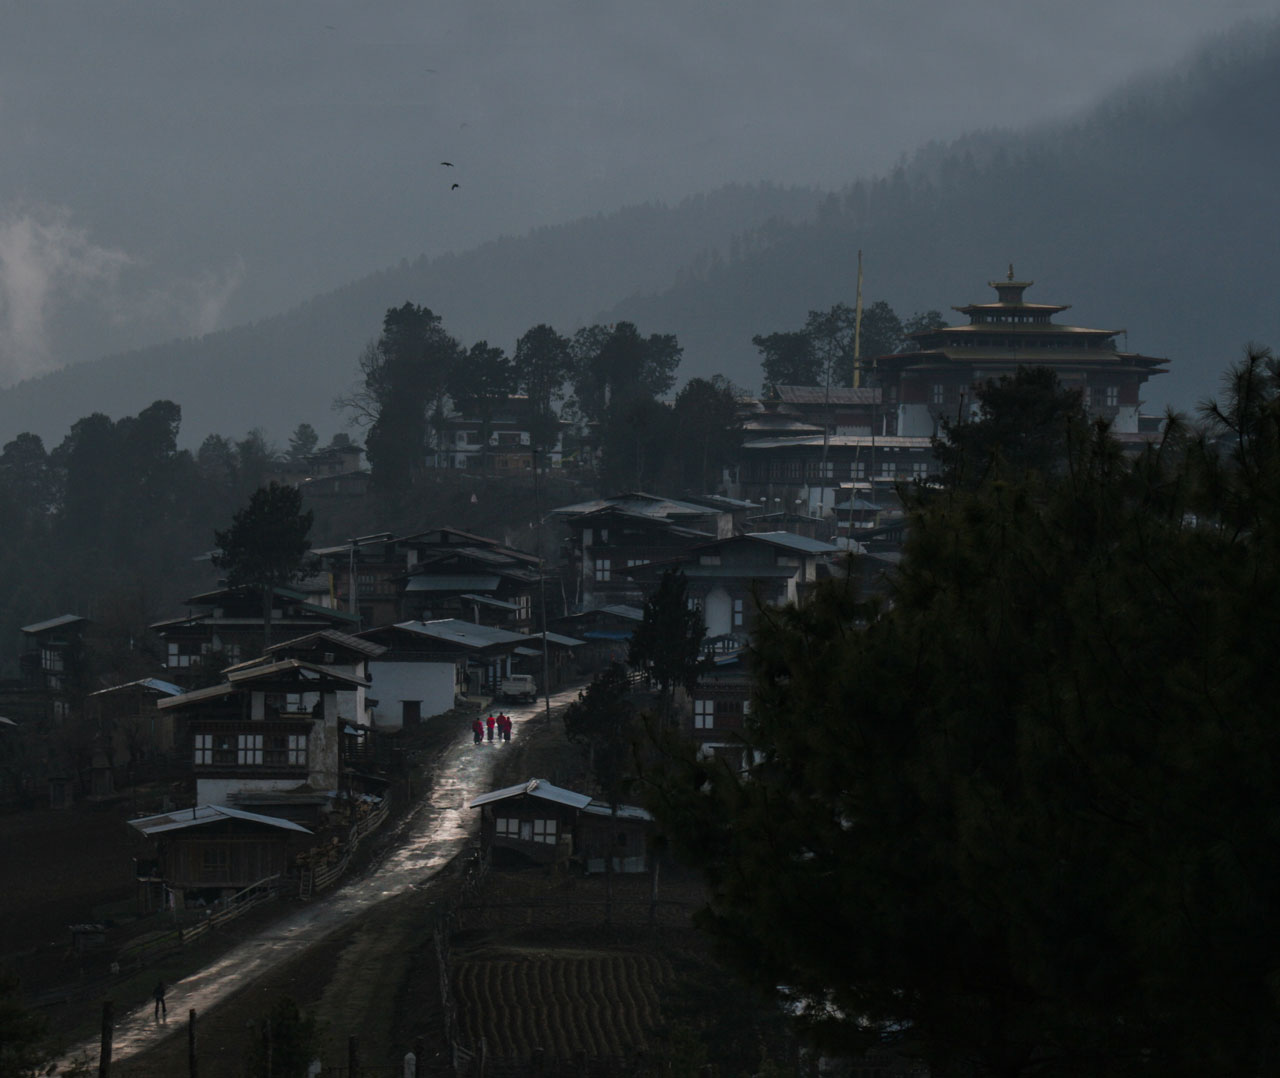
1150 213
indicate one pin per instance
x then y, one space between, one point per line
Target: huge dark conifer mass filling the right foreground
1022 820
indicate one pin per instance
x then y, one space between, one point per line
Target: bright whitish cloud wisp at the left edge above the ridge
45 262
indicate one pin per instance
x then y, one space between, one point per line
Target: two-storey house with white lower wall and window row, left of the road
268 739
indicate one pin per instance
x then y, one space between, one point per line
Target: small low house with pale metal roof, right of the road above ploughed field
540 823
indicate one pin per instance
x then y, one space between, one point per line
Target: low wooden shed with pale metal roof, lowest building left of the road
208 853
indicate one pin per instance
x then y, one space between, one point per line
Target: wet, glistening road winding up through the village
427 841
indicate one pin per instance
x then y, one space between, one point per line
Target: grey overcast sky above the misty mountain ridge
173 168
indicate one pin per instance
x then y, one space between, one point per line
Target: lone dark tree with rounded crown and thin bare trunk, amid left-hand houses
267 546
